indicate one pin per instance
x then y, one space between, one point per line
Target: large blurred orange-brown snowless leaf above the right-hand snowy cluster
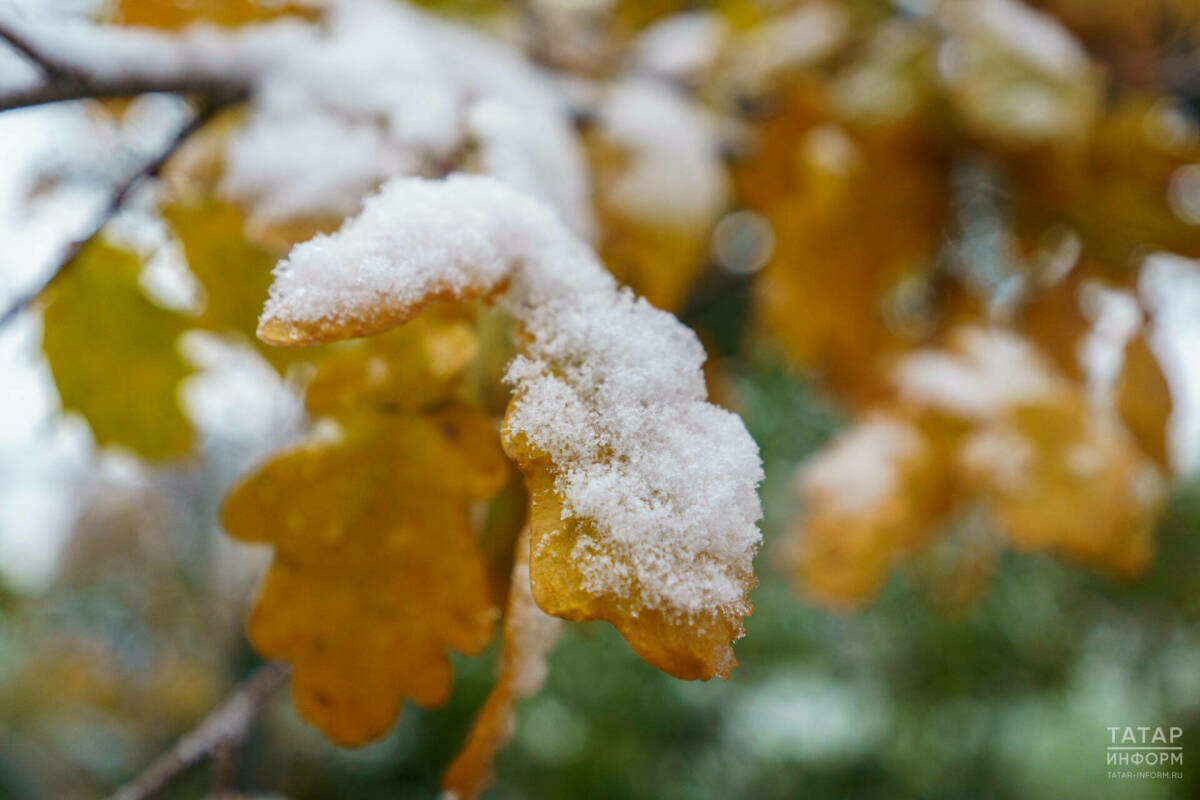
855 214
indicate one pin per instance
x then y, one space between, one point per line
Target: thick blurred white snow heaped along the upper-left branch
375 91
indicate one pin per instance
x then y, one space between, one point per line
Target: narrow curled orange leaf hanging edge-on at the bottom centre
530 634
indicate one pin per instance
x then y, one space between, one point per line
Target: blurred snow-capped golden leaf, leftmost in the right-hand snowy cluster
869 498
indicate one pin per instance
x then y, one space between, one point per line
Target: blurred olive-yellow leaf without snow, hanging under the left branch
115 354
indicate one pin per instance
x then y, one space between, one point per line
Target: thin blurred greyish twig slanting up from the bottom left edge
230 723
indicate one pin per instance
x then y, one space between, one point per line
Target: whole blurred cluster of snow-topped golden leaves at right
987 423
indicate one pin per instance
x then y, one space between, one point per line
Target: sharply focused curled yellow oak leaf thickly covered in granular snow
645 501
